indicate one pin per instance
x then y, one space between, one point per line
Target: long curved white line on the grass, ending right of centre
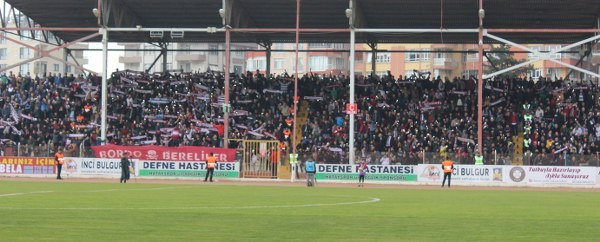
371 200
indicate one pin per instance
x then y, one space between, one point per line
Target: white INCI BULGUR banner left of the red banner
93 167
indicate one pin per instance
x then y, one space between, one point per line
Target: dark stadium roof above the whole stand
330 14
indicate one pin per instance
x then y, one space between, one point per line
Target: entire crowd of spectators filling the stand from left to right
400 121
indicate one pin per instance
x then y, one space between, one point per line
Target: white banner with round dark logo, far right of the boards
564 175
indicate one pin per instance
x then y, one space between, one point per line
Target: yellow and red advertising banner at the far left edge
27 165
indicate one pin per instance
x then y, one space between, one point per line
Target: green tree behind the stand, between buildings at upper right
500 58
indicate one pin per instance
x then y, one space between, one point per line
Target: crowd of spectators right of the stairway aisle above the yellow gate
402 120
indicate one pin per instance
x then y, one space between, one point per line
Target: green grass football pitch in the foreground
81 211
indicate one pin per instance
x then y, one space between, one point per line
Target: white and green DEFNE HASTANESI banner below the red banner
191 169
